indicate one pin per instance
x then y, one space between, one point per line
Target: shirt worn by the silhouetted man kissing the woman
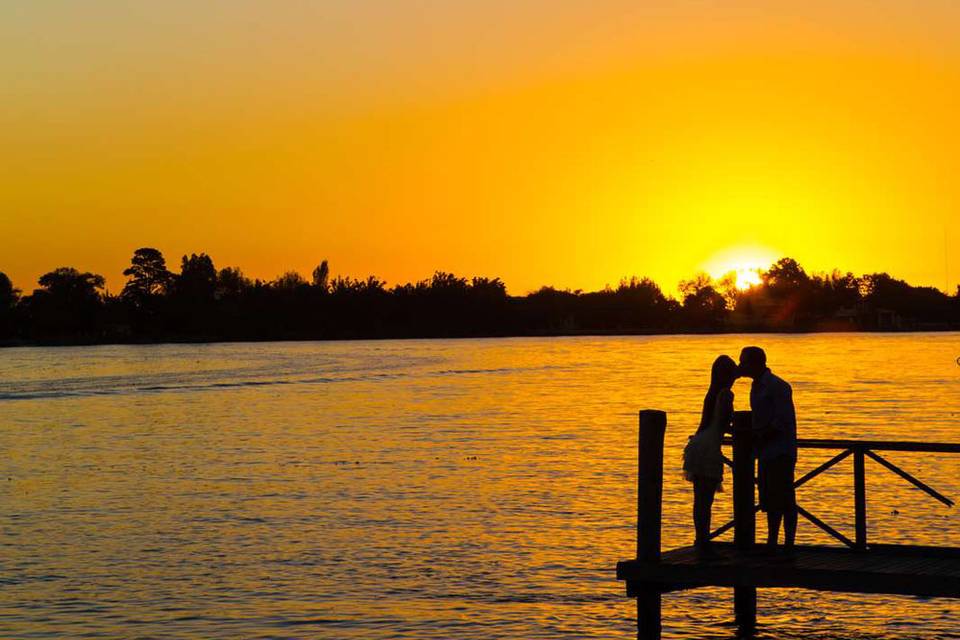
771 404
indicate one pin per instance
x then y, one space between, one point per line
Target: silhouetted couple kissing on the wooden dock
774 445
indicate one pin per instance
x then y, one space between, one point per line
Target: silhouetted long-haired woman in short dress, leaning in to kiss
702 460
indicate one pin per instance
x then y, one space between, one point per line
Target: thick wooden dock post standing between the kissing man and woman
745 524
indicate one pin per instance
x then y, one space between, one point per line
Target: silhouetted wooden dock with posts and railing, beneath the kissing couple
854 567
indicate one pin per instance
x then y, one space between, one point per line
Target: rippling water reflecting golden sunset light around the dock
424 489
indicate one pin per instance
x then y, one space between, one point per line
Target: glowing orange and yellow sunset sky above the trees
554 142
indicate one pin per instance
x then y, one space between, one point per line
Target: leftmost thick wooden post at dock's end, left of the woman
653 425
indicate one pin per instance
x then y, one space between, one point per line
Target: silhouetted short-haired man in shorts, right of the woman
774 444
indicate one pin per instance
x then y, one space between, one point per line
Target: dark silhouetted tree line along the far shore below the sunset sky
202 303
